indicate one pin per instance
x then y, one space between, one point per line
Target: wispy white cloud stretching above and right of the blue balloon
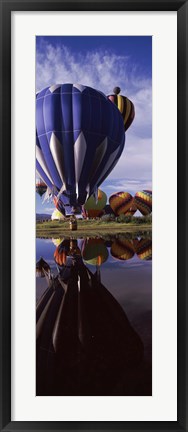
103 69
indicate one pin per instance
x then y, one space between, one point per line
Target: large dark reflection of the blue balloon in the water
85 343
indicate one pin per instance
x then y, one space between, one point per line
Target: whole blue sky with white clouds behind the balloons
104 62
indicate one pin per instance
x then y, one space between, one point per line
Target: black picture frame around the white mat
5 215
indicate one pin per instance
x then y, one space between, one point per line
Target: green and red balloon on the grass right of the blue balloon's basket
94 208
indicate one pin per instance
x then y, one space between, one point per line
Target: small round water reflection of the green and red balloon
94 251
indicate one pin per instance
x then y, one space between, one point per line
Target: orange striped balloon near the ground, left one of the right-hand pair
121 202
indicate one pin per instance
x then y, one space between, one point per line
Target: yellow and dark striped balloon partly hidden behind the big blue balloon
124 105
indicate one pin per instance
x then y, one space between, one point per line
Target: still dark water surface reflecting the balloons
114 353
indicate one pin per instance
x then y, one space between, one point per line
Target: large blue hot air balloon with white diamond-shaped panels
80 137
